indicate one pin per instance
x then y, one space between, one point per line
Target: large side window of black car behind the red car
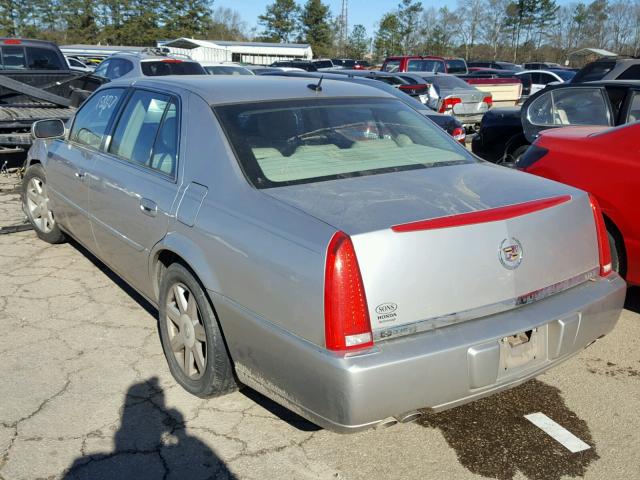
557 106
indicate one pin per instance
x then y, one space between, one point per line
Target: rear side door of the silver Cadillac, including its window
135 182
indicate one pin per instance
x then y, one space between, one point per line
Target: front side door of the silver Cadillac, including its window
69 160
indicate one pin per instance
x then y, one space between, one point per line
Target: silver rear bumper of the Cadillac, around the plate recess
438 369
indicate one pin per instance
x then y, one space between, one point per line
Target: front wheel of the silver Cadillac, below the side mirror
35 204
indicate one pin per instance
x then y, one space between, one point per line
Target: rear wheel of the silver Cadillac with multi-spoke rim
191 337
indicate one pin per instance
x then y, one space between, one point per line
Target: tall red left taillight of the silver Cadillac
346 315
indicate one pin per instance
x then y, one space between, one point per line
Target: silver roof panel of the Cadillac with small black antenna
222 89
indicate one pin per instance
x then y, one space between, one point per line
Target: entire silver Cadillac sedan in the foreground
265 264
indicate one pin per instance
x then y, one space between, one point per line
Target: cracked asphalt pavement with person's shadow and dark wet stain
85 393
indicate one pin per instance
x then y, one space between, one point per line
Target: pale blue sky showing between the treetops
365 12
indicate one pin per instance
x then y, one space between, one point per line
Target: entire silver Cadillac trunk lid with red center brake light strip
444 245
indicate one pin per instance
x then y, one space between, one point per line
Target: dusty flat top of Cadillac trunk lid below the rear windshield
375 202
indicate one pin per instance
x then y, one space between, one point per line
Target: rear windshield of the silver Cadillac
307 141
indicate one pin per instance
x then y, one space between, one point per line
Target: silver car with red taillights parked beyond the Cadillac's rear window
456 97
